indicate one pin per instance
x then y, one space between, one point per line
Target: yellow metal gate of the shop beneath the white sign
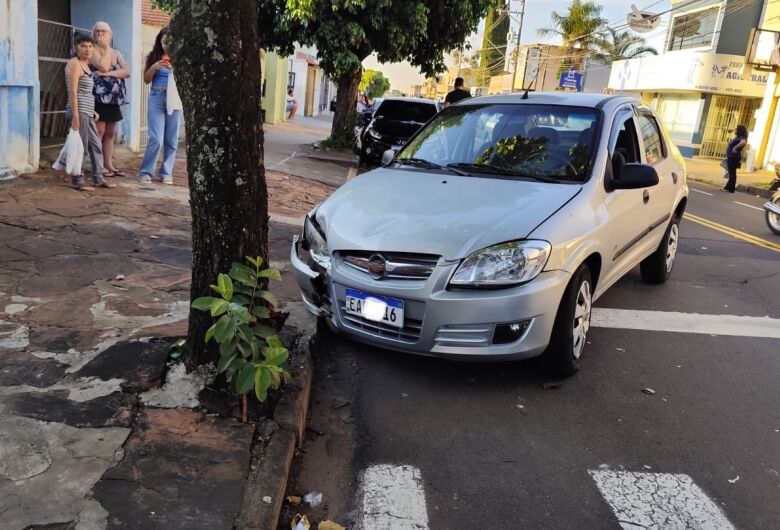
726 112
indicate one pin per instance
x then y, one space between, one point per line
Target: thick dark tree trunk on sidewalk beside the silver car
216 60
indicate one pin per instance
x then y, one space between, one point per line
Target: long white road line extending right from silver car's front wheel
731 325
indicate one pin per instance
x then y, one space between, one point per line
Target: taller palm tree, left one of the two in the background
580 29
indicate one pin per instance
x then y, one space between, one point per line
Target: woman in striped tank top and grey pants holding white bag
80 110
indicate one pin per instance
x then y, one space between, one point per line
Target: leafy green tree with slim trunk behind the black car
345 32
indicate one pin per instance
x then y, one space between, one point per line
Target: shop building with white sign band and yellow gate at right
701 85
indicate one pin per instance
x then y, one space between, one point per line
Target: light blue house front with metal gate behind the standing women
36 40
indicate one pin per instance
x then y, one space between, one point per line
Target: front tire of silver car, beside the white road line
572 322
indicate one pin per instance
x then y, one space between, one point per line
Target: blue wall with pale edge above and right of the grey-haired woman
121 17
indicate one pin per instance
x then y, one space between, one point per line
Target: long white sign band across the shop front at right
689 71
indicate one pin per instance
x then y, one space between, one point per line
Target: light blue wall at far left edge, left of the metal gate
19 89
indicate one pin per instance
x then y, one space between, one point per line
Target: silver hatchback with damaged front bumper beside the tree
491 233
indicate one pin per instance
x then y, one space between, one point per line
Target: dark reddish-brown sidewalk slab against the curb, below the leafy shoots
181 470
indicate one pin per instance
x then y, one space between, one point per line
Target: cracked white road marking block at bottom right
658 500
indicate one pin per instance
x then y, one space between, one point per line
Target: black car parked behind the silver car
390 125
